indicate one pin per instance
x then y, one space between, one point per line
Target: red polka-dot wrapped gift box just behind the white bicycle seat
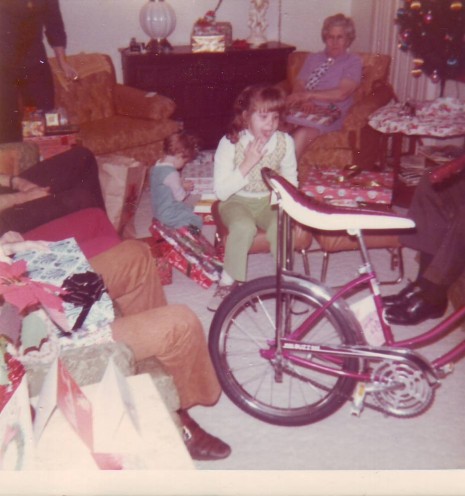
336 184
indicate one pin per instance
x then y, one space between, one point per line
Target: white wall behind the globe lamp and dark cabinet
106 25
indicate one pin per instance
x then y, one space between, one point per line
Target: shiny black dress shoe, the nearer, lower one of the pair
415 310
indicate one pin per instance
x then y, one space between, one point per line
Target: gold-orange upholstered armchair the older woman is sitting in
347 146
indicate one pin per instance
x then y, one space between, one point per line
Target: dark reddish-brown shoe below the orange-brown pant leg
200 444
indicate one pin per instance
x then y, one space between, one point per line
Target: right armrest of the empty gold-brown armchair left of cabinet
145 105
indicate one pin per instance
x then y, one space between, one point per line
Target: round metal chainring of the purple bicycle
401 389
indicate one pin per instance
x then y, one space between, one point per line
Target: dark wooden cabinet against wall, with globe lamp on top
205 85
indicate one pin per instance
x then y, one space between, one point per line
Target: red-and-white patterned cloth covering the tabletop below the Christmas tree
443 117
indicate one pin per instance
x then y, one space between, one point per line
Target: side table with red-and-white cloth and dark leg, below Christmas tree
440 118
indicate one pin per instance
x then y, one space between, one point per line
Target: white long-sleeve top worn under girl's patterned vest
228 179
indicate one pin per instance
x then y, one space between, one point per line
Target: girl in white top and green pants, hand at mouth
253 142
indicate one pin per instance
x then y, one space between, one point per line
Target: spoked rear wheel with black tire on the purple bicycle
244 324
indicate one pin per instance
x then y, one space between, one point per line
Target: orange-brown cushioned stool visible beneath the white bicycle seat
333 243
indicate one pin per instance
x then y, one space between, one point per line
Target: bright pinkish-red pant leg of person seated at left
90 227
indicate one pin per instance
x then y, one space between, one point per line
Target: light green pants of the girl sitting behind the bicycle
243 216
